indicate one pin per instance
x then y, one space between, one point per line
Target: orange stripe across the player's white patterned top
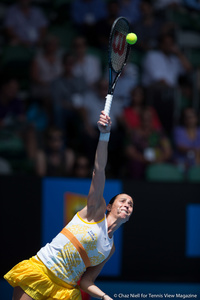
78 246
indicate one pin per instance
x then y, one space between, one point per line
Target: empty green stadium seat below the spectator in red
164 172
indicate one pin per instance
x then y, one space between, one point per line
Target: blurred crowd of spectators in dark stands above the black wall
54 80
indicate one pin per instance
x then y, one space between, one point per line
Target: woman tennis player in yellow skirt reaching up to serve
81 249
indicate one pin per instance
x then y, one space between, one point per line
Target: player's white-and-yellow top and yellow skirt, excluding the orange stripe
54 272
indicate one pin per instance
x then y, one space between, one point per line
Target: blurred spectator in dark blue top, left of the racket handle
67 97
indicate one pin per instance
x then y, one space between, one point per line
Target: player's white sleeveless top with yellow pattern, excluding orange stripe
63 259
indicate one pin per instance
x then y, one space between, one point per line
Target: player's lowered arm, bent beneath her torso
89 277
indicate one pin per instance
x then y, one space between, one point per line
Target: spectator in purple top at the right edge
186 138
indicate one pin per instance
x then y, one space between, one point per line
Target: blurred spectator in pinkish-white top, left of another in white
46 67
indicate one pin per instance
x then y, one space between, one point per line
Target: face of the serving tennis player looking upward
123 207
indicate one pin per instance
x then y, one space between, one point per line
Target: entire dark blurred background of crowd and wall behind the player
53 83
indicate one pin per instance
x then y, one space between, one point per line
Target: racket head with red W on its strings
119 49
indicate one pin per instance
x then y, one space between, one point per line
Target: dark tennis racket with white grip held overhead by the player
118 52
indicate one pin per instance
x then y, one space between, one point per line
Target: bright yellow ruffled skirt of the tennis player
40 283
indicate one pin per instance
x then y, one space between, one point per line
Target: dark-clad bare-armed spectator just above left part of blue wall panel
55 159
